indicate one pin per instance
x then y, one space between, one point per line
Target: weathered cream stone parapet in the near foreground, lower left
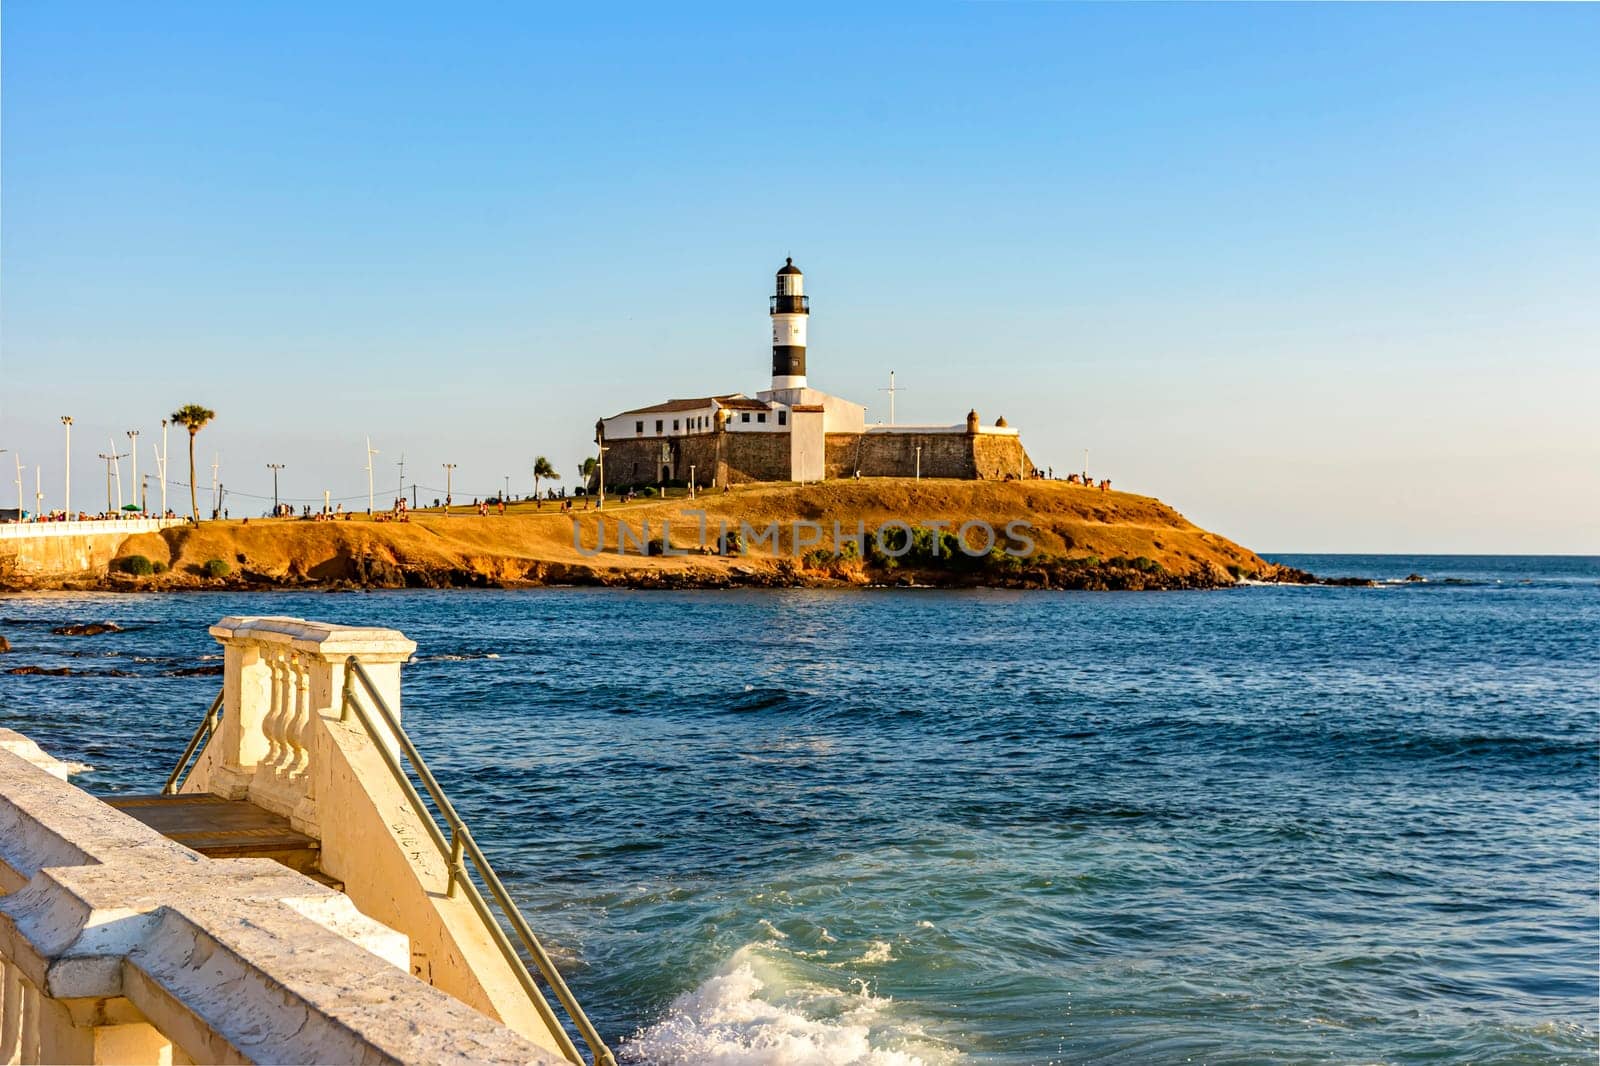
119 945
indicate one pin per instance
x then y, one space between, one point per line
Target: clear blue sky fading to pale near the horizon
1324 278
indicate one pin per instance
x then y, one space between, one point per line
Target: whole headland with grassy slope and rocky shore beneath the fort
870 532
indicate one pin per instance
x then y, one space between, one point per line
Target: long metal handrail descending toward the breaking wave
462 848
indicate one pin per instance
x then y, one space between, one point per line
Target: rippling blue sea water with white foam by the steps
1295 825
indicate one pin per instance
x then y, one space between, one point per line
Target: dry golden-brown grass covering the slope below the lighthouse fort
527 545
